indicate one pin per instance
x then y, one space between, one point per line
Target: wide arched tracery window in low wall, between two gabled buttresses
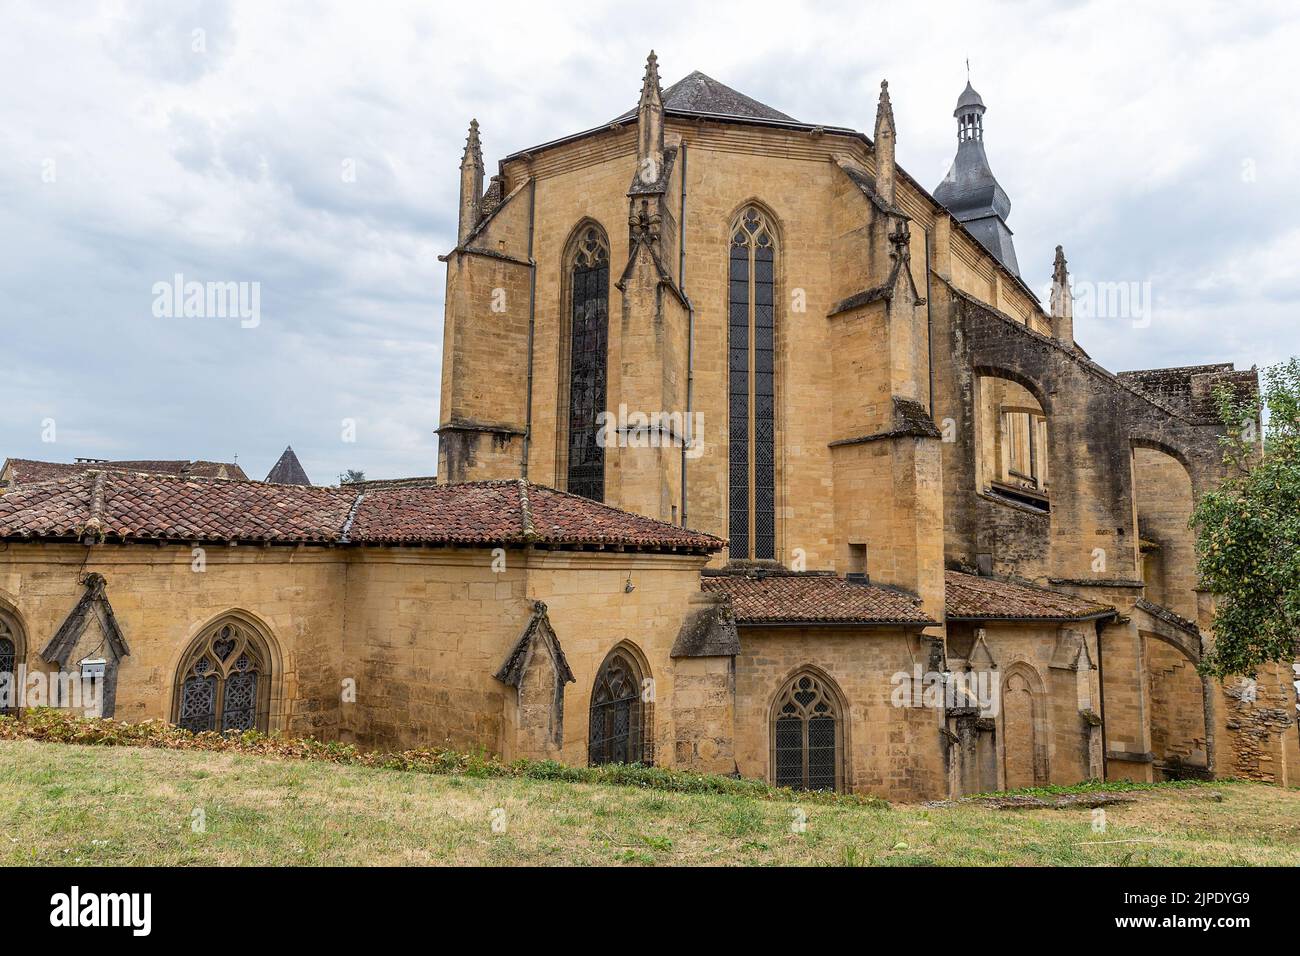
224 684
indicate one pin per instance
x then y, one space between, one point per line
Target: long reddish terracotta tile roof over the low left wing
132 507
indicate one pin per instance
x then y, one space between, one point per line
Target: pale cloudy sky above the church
314 149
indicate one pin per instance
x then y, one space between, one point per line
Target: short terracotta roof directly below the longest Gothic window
818 598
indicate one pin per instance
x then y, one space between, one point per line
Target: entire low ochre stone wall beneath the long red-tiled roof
396 648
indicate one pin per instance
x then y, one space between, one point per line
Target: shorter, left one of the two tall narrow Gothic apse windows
590 338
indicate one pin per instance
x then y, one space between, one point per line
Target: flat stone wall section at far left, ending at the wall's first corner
294 595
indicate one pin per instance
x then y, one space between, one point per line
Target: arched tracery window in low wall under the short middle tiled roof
807 750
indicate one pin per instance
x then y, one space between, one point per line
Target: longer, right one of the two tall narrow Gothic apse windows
752 393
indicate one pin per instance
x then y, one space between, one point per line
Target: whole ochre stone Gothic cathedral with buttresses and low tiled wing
756 457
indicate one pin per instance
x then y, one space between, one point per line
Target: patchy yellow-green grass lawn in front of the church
127 806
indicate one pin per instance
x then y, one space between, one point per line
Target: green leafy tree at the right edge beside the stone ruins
1249 530
